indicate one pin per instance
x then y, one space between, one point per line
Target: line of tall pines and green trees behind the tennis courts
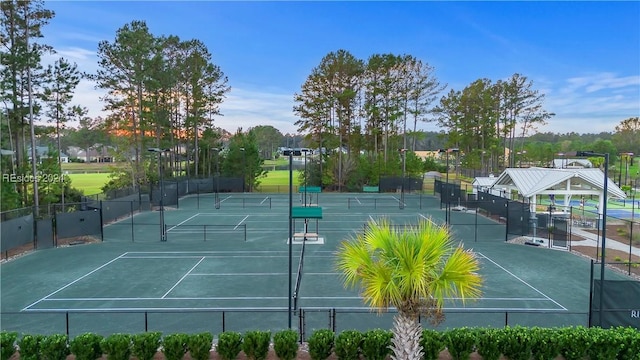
164 92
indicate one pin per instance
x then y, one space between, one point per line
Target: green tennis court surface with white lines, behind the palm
228 269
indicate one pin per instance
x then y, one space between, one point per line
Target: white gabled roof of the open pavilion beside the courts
532 181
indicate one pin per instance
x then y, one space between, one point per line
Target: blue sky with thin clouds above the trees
585 56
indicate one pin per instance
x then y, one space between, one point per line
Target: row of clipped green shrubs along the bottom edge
514 343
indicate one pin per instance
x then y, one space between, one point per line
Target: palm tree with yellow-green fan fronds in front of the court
414 270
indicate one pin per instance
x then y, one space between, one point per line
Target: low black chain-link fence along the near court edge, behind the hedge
309 319
